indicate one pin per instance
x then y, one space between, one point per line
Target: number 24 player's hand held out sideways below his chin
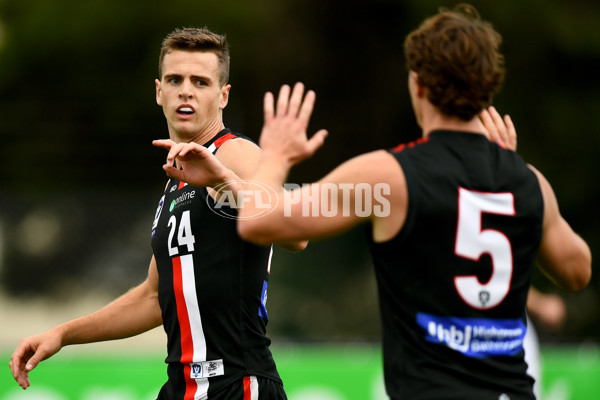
191 163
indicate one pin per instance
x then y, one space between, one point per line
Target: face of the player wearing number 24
190 94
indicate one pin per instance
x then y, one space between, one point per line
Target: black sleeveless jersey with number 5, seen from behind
453 283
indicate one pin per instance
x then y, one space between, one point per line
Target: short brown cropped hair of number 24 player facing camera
197 39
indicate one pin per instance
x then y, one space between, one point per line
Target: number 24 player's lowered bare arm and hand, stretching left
135 312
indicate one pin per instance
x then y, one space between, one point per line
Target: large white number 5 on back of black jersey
472 242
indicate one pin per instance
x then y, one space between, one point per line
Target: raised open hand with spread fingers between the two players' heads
284 130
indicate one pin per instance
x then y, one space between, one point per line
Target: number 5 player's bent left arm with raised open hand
370 187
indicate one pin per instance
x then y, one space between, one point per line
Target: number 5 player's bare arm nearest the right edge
564 256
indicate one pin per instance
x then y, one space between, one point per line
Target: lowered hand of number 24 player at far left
30 352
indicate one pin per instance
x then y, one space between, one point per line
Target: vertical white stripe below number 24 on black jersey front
191 303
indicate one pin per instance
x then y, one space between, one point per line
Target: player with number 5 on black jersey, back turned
468 219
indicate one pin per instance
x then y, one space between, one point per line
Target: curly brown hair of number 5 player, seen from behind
456 57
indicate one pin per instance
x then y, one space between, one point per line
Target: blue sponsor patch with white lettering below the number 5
474 337
